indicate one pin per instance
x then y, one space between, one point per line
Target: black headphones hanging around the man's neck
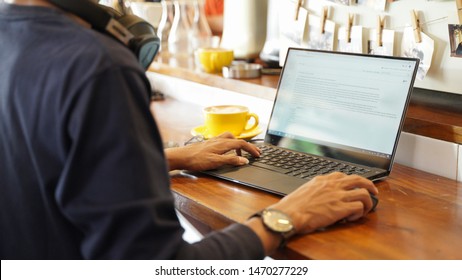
134 32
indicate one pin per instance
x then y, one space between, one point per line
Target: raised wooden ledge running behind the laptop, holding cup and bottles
433 114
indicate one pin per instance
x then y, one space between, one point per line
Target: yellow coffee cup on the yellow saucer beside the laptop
232 118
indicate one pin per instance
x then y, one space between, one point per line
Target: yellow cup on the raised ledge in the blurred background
212 60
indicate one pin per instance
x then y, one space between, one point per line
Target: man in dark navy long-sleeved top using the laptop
83 172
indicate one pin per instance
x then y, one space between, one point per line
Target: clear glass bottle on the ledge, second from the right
178 39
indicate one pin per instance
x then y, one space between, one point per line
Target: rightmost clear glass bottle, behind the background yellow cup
200 30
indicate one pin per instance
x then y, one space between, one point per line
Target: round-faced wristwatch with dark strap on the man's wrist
277 222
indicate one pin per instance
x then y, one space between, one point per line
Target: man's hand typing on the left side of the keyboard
210 154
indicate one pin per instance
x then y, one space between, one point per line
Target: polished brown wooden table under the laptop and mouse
419 215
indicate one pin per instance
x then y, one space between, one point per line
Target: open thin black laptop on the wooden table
332 112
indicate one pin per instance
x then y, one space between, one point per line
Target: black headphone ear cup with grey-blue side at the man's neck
145 43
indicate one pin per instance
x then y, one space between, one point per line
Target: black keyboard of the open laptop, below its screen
300 165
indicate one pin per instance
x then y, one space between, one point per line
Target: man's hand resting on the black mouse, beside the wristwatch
327 199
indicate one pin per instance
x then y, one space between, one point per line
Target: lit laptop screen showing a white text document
342 105
